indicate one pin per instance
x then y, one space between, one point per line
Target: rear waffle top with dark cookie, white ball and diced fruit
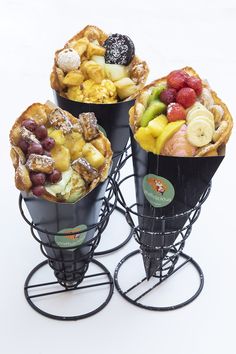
90 69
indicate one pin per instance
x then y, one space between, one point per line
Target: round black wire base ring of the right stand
126 294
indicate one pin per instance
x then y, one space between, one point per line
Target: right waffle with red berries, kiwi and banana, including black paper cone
180 128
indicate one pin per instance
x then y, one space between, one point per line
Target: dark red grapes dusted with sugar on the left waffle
44 147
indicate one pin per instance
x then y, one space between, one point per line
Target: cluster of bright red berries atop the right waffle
181 93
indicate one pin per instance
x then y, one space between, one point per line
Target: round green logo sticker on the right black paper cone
158 190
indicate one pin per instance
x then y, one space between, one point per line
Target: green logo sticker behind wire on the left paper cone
71 240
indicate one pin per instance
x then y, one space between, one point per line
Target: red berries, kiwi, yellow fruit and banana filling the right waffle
172 104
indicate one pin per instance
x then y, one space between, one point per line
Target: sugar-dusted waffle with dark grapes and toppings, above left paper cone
56 156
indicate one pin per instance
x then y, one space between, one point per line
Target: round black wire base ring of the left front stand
32 297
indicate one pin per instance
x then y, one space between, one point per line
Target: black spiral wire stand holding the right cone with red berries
170 256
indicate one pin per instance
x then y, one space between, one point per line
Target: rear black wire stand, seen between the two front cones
122 158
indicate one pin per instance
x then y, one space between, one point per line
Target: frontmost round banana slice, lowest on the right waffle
199 132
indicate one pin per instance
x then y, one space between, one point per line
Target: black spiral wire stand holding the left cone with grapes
71 272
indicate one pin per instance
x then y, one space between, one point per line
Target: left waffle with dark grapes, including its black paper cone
58 161
